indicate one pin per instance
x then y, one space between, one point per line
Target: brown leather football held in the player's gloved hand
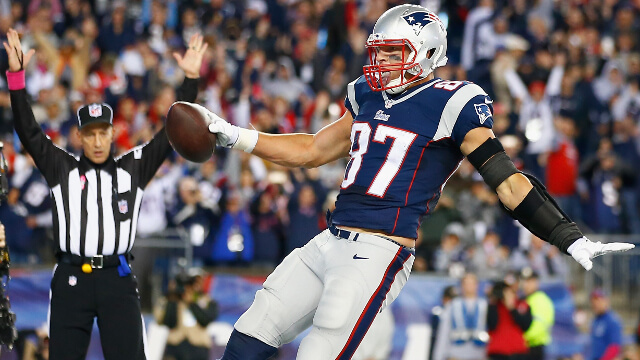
187 131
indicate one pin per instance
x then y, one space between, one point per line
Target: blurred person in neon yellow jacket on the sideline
538 336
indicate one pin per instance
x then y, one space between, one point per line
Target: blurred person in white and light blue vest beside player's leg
462 334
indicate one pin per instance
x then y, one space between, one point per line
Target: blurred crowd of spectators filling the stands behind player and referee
564 77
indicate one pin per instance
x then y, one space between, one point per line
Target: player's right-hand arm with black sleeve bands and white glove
529 202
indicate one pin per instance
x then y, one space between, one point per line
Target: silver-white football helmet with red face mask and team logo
418 29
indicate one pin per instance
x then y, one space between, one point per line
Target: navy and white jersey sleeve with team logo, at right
476 111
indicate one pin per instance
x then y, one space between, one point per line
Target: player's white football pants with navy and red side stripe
336 285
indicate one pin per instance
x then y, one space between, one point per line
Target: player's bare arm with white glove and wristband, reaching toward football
292 150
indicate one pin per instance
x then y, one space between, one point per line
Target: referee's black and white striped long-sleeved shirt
96 206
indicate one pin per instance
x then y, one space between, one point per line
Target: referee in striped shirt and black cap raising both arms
96 202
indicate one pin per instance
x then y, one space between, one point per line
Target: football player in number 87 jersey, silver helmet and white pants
406 132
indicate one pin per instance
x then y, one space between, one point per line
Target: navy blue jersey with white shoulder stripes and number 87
403 150
